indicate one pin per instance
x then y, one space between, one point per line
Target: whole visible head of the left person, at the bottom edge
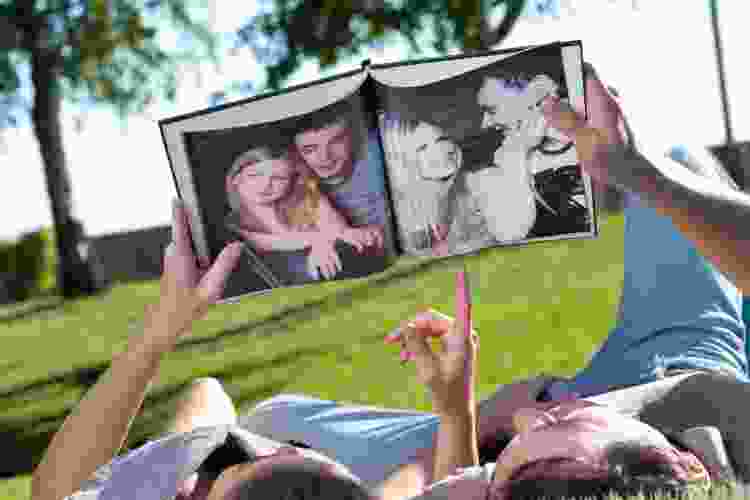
286 475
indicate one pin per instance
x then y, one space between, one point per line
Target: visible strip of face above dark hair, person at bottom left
227 485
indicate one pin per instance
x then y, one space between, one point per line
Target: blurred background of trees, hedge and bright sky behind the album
85 186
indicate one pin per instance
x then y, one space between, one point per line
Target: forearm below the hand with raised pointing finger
455 444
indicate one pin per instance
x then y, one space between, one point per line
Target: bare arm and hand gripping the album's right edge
713 216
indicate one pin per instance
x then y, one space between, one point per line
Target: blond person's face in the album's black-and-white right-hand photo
438 156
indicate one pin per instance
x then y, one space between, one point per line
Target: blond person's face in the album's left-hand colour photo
264 182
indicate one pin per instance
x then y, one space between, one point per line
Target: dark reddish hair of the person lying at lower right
630 472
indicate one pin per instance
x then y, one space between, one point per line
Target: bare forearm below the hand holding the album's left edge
96 429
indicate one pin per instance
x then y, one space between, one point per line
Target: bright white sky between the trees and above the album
658 53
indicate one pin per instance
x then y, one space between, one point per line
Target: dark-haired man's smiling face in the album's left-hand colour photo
328 150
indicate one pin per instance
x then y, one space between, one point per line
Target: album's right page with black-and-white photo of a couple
470 161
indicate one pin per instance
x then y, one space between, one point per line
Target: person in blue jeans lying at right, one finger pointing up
675 361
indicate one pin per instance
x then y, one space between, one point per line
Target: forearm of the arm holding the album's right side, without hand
718 225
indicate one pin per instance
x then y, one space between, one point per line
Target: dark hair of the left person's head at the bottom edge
301 482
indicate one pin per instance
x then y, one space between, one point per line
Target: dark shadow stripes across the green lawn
23 440
